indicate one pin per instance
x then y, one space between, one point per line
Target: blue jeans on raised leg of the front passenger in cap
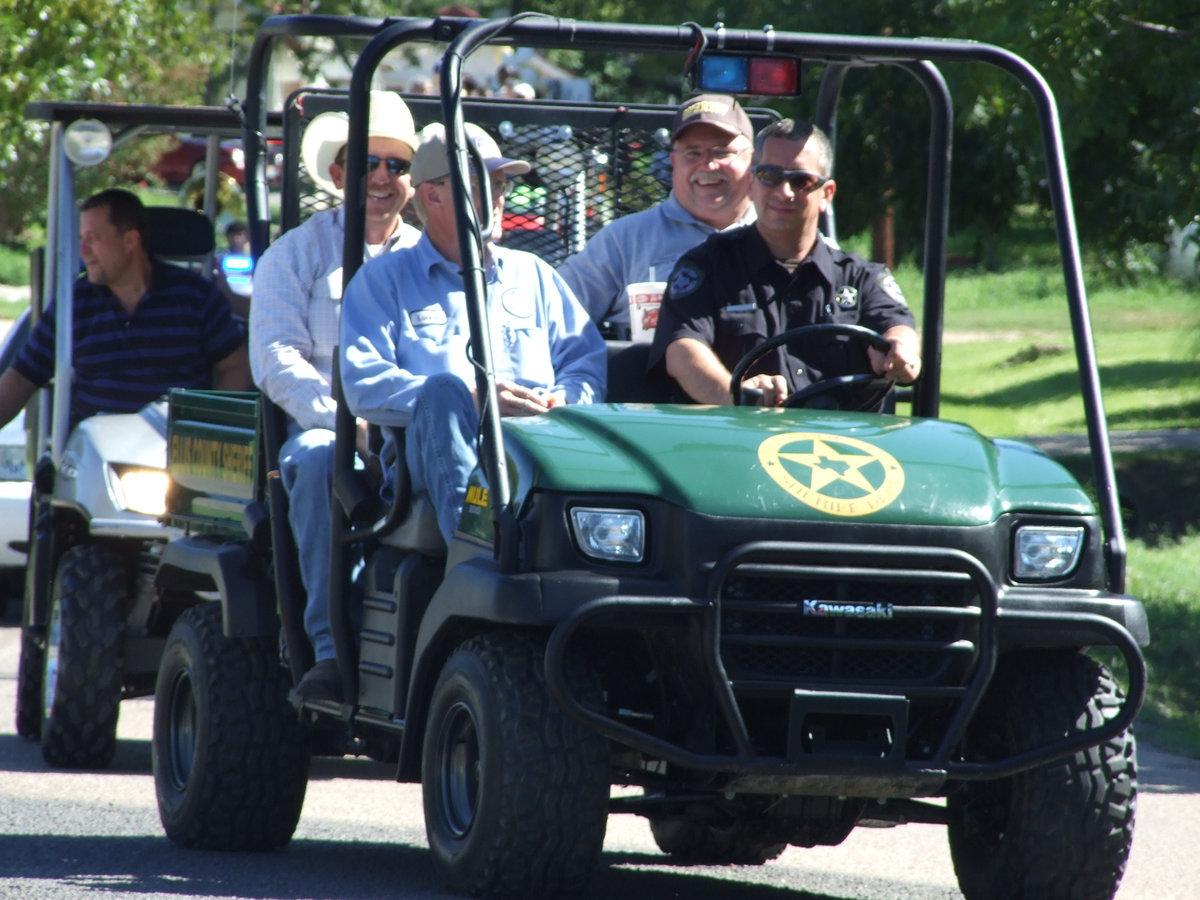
441 447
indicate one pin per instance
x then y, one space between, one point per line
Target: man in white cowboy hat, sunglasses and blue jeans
295 328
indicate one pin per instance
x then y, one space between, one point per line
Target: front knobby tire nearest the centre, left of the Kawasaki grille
517 794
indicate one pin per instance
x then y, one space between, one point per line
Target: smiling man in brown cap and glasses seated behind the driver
711 143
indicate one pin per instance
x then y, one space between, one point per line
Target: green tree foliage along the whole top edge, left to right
1123 71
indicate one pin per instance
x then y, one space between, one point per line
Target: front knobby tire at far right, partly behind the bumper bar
1063 831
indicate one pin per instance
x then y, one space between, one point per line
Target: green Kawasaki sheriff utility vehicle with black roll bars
773 625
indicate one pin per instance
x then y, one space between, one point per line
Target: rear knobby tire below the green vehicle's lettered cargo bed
231 758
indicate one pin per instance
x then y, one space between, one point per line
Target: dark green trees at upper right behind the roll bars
1123 73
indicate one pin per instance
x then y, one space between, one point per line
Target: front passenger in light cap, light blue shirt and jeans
404 353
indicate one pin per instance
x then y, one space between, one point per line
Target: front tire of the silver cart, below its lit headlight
83 659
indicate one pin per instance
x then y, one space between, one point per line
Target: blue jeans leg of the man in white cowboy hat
307 466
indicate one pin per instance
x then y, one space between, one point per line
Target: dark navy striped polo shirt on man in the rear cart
179 331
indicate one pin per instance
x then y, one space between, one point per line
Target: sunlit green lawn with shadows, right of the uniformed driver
1010 367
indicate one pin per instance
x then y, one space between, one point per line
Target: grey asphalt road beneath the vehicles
70 836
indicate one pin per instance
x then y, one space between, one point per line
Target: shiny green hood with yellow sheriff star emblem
783 464
